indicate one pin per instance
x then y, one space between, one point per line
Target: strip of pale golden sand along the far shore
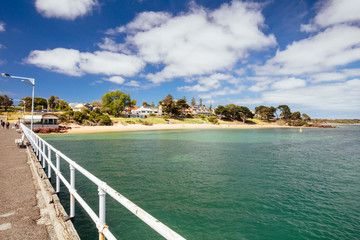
139 127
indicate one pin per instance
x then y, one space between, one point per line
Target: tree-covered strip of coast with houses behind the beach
115 105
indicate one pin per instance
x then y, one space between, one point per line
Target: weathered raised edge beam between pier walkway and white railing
51 211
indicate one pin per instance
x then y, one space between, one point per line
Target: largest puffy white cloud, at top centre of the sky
199 42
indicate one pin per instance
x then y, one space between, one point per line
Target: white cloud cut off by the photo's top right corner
335 12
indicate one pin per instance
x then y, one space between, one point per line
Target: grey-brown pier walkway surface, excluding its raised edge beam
19 211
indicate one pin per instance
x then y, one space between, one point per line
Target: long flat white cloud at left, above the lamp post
72 62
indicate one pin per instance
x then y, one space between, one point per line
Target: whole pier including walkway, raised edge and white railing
46 210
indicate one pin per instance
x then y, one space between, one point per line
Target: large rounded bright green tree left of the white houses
114 103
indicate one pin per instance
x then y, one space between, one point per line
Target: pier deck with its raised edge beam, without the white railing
29 208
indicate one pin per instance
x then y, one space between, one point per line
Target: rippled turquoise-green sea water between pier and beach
224 184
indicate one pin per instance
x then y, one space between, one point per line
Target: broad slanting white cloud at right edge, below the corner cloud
336 46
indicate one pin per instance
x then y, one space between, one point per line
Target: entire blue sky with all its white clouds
302 53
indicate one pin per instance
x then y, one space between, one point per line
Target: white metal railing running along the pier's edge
44 151
